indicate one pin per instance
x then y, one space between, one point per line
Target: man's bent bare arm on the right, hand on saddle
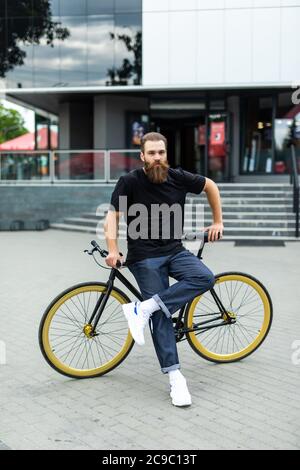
213 197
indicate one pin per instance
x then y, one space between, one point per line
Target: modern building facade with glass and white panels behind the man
219 78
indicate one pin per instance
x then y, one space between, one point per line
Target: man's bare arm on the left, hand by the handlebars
111 228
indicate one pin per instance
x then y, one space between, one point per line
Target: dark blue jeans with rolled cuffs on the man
152 276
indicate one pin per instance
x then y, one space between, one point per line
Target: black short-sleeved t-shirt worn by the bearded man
153 229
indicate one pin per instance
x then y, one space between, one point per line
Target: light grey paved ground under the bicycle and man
253 404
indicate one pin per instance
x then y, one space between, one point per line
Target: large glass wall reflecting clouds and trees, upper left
71 43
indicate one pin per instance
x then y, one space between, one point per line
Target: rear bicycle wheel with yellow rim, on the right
249 306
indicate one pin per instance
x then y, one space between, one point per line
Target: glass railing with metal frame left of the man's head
67 166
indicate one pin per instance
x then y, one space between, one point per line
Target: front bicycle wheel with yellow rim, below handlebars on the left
65 335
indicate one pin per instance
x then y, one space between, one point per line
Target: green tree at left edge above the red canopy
11 124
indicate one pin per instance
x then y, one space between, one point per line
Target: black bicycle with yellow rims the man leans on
83 332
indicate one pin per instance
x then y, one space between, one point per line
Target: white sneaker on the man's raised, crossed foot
137 320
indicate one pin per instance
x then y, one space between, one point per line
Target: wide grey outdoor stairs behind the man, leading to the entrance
257 211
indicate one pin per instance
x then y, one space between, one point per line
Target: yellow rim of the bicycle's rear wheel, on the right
196 339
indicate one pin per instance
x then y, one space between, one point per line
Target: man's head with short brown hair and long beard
155 160
